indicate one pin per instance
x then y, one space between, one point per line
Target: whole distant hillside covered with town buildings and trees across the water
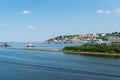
112 37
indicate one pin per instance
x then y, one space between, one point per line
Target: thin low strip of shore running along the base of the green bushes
97 54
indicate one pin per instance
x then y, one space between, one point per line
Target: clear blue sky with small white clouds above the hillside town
39 20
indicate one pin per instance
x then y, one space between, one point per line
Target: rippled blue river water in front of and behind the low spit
39 65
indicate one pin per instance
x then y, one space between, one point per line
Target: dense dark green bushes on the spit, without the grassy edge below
99 48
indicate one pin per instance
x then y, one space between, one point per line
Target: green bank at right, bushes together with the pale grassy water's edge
100 50
